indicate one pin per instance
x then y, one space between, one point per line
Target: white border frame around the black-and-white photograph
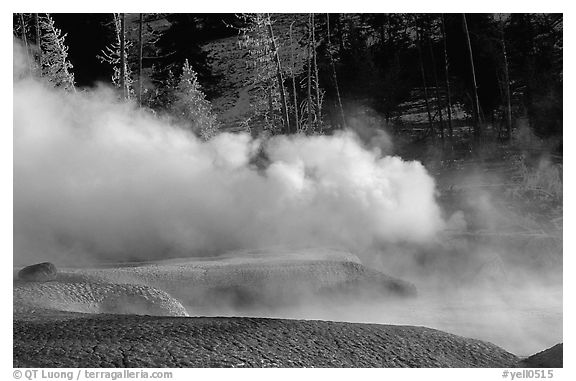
6 153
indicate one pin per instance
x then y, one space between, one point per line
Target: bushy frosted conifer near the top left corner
56 67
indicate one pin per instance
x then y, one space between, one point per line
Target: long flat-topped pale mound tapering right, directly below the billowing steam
251 279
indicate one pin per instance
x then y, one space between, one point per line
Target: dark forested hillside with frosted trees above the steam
469 76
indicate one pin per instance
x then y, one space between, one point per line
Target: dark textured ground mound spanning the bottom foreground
66 340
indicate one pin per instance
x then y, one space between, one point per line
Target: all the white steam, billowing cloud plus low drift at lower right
98 179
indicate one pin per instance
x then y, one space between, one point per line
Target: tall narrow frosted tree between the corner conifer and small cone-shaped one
116 55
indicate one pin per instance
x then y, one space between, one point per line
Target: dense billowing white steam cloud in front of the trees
95 178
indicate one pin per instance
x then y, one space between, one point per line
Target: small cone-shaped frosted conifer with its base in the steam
191 106
